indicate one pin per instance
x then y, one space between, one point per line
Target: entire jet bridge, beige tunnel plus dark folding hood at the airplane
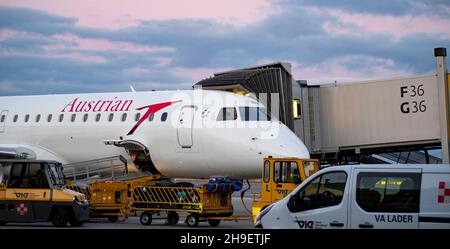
402 120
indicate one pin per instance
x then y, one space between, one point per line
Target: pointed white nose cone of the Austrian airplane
283 143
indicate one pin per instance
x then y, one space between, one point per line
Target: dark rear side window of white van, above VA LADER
388 192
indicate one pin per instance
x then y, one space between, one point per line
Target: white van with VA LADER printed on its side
366 196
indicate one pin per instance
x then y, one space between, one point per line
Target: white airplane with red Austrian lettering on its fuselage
180 134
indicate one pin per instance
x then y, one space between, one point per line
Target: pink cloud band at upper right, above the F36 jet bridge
398 26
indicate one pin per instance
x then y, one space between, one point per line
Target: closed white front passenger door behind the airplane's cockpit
185 126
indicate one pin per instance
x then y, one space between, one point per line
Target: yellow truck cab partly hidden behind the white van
279 177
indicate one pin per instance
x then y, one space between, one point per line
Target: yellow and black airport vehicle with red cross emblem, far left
34 191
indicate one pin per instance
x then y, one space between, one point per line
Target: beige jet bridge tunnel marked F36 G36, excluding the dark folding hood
390 116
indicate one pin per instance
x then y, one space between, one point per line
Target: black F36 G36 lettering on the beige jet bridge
418 104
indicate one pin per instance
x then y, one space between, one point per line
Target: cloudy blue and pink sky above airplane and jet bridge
74 46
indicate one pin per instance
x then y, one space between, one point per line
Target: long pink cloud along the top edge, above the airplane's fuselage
118 14
